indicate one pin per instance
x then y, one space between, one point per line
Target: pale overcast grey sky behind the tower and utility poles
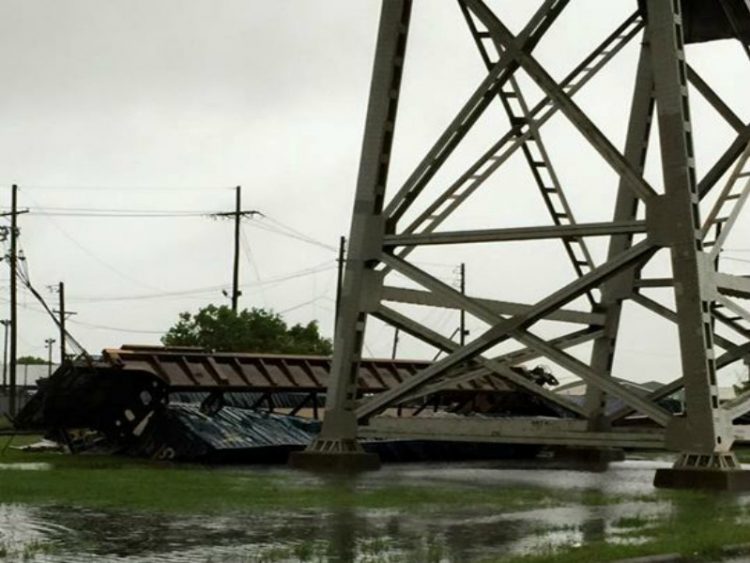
166 105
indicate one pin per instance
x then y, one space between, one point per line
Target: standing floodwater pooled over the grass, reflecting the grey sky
65 534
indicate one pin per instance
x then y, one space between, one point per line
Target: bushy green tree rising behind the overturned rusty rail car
255 330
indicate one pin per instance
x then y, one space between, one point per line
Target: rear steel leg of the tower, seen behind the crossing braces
617 289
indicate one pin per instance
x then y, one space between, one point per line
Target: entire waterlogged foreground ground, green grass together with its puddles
83 508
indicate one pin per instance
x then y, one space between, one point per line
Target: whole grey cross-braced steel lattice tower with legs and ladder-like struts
381 242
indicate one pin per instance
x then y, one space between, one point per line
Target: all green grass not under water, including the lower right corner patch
699 525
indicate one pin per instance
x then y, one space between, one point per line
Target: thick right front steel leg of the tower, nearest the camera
675 222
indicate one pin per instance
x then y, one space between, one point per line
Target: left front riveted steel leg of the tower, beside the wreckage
339 431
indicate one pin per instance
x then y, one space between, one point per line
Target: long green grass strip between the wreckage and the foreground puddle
116 482
